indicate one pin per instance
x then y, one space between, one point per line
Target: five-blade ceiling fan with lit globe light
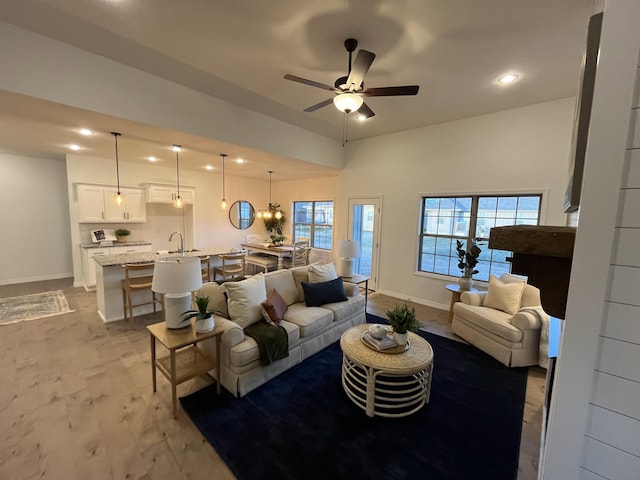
349 90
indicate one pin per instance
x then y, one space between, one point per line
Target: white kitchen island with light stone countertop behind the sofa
109 274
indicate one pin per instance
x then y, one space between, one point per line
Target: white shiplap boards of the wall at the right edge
612 447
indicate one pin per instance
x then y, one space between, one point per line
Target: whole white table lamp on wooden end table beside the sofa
176 278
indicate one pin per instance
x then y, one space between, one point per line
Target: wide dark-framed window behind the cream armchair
447 219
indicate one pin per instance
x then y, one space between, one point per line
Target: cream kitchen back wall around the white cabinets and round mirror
212 227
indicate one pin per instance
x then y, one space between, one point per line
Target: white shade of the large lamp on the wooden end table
176 275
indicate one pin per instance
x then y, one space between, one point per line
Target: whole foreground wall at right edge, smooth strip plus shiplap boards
594 428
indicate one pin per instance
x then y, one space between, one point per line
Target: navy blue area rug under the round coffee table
301 425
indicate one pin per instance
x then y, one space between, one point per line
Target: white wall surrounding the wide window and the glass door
520 150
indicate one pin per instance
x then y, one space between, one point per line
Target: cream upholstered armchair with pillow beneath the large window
505 322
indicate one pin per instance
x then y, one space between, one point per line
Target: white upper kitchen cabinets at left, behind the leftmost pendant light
96 205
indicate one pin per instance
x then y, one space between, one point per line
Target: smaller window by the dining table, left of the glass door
314 220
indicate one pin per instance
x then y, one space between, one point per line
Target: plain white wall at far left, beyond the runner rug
35 243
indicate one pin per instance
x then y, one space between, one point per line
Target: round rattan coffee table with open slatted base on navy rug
386 384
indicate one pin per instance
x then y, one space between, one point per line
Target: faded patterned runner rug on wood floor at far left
32 307
